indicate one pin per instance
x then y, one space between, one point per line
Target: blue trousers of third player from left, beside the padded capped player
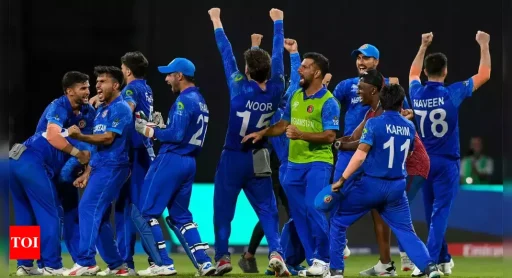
130 194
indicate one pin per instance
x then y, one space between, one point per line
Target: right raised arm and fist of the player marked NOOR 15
277 68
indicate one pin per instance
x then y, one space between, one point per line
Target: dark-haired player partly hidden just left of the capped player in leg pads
139 97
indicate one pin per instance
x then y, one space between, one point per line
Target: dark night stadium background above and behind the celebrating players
52 37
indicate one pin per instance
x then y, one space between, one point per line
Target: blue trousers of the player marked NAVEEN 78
439 191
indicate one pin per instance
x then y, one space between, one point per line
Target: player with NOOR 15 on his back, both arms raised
254 98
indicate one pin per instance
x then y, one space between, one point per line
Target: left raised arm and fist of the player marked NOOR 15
226 51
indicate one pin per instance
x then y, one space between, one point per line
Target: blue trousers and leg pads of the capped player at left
168 184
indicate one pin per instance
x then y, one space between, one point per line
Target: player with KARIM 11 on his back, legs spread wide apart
385 144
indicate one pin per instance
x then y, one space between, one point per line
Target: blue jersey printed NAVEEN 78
436 109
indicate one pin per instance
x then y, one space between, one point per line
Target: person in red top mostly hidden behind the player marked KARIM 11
417 166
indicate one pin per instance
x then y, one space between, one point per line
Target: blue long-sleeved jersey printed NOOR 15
251 108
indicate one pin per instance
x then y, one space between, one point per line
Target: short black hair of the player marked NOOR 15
258 64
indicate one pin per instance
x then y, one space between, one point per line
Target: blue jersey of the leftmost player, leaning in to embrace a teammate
60 112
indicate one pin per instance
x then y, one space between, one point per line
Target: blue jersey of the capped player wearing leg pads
187 123
